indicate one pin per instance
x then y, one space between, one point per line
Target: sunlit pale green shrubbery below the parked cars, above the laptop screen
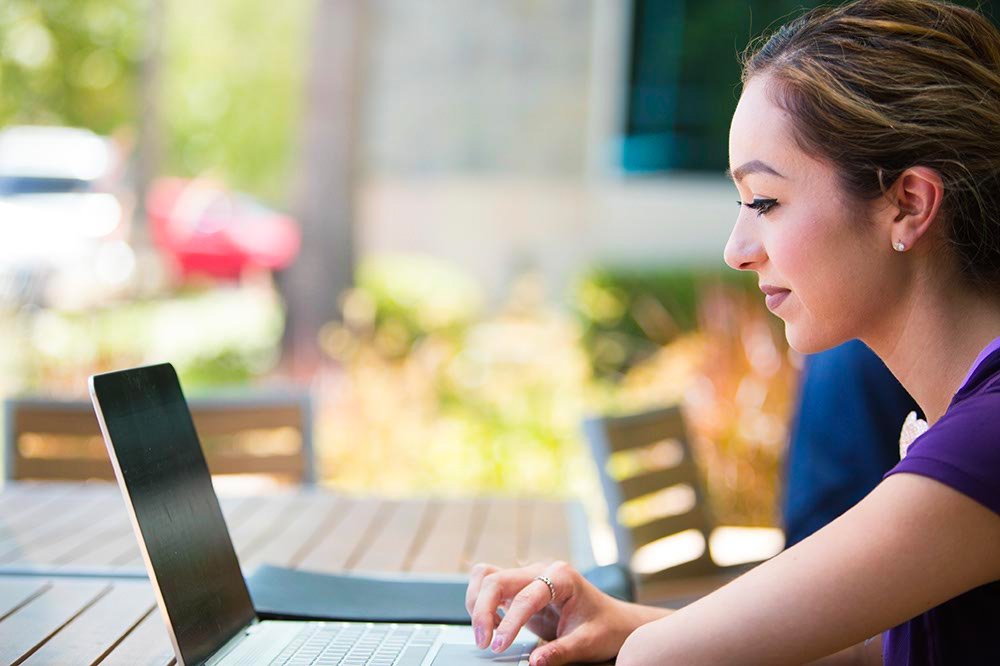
213 338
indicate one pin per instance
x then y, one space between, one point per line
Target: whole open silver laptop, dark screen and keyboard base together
192 565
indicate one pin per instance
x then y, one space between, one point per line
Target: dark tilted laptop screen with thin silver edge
162 471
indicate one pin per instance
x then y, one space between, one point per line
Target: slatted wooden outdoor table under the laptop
73 590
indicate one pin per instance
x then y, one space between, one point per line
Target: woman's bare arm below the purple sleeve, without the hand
912 544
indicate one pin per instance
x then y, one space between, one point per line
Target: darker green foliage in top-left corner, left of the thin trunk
71 62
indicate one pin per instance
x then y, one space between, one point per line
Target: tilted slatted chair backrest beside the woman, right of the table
651 484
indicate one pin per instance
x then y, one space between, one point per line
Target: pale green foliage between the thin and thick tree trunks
232 90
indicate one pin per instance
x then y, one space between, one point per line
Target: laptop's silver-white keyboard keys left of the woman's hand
358 644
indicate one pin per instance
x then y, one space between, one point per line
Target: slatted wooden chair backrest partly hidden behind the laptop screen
254 433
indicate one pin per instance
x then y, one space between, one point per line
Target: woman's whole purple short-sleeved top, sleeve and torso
961 450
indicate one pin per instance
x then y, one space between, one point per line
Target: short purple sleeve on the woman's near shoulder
962 450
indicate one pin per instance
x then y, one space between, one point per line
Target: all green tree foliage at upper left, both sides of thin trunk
231 78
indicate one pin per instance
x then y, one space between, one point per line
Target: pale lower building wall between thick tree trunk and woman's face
495 228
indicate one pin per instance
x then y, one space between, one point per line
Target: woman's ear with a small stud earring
915 199
